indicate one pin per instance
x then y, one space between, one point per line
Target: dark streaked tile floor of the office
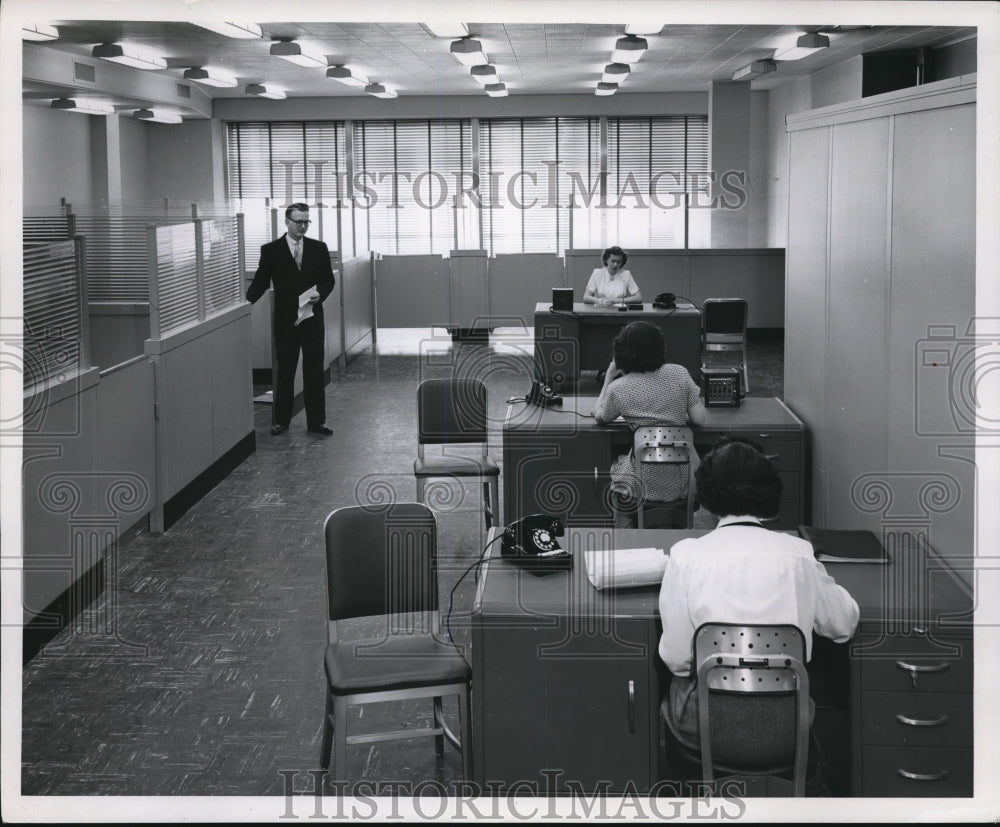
206 678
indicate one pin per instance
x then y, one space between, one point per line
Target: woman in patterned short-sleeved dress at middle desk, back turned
648 391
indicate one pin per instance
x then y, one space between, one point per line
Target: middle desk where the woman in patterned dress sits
557 460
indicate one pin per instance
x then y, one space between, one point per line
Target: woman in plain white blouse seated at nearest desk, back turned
740 573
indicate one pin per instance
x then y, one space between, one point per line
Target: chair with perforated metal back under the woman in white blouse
753 709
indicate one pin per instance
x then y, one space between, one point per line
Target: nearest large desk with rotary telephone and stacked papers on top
566 679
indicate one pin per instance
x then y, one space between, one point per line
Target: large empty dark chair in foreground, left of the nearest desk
381 565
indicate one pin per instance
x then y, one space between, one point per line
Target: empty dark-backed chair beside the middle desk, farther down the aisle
454 411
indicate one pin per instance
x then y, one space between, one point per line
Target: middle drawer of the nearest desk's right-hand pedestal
916 719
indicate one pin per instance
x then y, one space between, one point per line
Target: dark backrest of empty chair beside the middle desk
451 411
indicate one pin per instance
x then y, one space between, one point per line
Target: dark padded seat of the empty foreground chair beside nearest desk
403 661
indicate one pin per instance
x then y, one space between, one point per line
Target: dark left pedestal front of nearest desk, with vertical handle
566 705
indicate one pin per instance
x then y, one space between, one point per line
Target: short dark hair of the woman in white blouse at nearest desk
737 478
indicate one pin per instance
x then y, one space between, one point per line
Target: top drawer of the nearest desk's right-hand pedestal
918 665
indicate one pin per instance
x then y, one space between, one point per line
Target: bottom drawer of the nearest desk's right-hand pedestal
907 771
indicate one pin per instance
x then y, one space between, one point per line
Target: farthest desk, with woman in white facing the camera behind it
567 342
